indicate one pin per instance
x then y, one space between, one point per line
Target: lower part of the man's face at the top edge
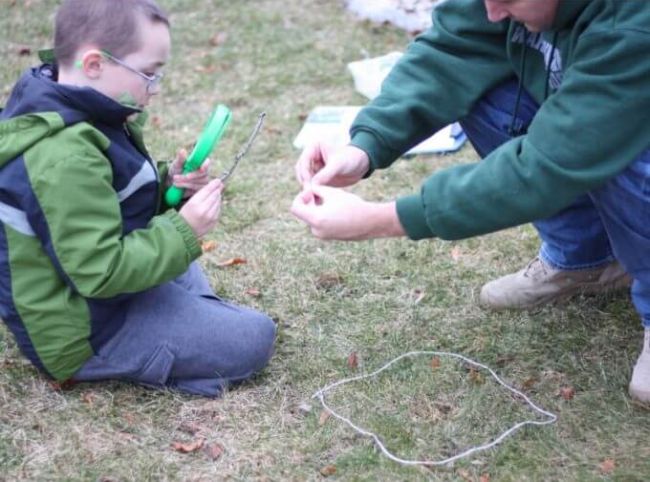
536 15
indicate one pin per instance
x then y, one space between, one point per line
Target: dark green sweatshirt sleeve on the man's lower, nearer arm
590 130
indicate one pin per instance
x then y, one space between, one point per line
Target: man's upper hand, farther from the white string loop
329 165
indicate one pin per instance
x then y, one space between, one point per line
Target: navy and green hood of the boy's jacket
40 107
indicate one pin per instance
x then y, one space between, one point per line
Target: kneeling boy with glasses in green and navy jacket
97 279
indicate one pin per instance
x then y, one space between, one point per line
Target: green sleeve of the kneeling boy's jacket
80 221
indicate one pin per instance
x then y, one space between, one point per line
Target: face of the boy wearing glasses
118 78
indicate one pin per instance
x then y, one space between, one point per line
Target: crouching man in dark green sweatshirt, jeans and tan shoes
554 96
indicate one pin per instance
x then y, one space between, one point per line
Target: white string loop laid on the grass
551 417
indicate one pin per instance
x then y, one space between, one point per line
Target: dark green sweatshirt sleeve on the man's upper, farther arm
437 81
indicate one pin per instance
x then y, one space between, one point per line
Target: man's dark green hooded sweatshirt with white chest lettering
594 122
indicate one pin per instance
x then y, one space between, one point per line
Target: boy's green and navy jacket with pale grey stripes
81 228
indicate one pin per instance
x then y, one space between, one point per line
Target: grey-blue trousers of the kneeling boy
181 336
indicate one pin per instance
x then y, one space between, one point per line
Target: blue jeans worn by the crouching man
609 223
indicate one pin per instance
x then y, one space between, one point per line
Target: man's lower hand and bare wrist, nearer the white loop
336 214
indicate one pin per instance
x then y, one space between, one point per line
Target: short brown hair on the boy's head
110 24
